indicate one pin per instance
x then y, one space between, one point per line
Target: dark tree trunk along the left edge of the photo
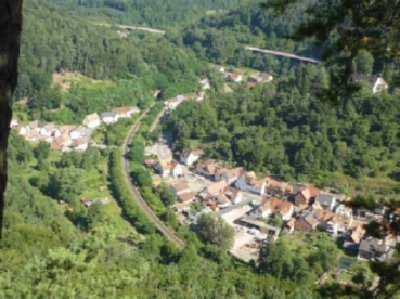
10 30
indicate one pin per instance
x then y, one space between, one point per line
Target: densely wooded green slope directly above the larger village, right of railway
297 136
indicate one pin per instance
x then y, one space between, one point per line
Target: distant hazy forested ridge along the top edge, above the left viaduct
156 13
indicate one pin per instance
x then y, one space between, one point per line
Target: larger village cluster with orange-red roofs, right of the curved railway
263 208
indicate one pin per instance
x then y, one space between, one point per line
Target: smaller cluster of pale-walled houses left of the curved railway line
68 138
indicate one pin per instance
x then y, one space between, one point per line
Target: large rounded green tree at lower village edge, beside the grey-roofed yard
213 229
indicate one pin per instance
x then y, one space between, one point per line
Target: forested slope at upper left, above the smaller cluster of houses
56 40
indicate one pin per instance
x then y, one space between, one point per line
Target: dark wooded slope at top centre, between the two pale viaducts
222 38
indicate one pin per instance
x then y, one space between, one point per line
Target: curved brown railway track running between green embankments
165 230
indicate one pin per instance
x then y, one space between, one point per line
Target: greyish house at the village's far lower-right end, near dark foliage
374 249
